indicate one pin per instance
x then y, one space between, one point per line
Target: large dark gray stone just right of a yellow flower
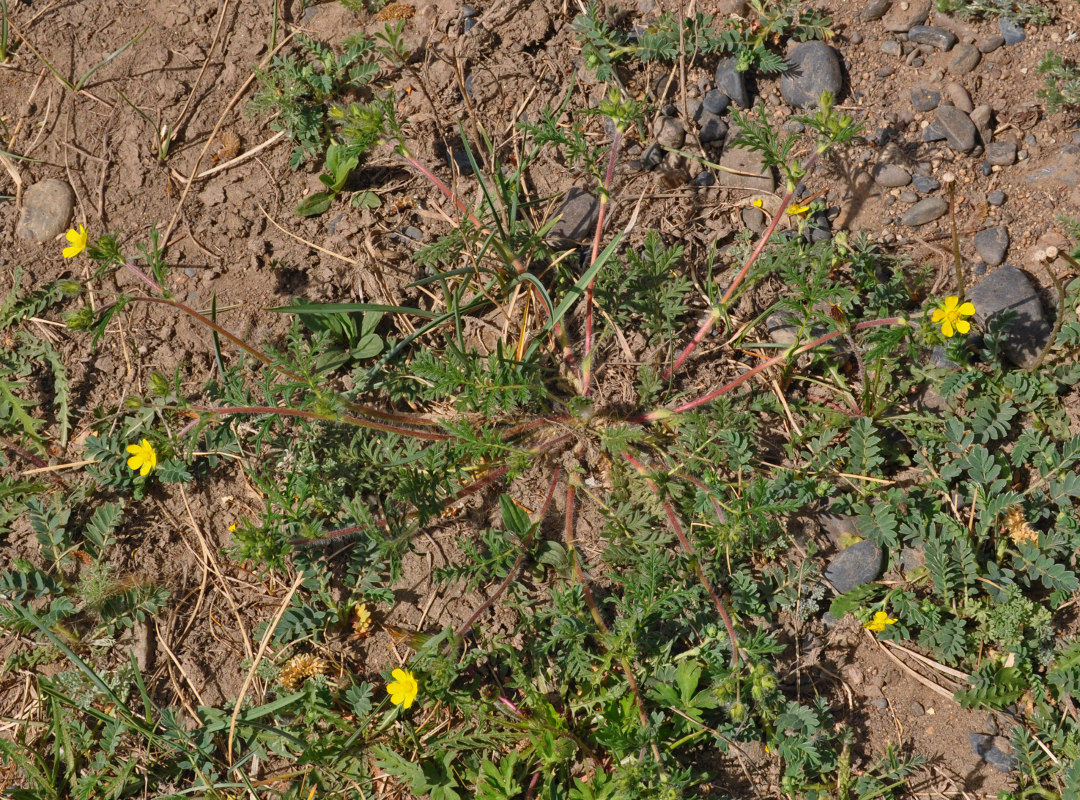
1008 290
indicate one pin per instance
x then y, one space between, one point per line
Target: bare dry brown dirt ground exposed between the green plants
232 235
